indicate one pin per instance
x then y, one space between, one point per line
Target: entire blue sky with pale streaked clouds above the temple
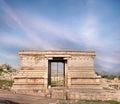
61 25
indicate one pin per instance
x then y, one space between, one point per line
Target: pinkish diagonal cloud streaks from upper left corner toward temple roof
38 24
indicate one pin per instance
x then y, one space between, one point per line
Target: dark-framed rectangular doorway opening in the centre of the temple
56 73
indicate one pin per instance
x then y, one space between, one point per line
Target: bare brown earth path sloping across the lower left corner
25 99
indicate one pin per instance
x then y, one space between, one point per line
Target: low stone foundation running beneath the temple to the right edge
74 94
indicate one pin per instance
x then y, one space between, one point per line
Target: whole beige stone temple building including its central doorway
58 71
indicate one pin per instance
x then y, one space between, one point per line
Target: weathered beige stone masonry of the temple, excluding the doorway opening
33 76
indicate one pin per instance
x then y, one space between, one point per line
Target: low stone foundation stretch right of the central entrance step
94 95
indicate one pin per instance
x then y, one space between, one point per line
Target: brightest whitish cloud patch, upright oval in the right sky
89 30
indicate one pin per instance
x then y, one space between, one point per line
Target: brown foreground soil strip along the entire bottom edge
8 97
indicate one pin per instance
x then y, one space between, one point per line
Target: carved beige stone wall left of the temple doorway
33 73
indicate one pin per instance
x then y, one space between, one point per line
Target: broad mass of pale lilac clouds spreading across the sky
38 30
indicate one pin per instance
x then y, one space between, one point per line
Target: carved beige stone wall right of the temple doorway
81 72
